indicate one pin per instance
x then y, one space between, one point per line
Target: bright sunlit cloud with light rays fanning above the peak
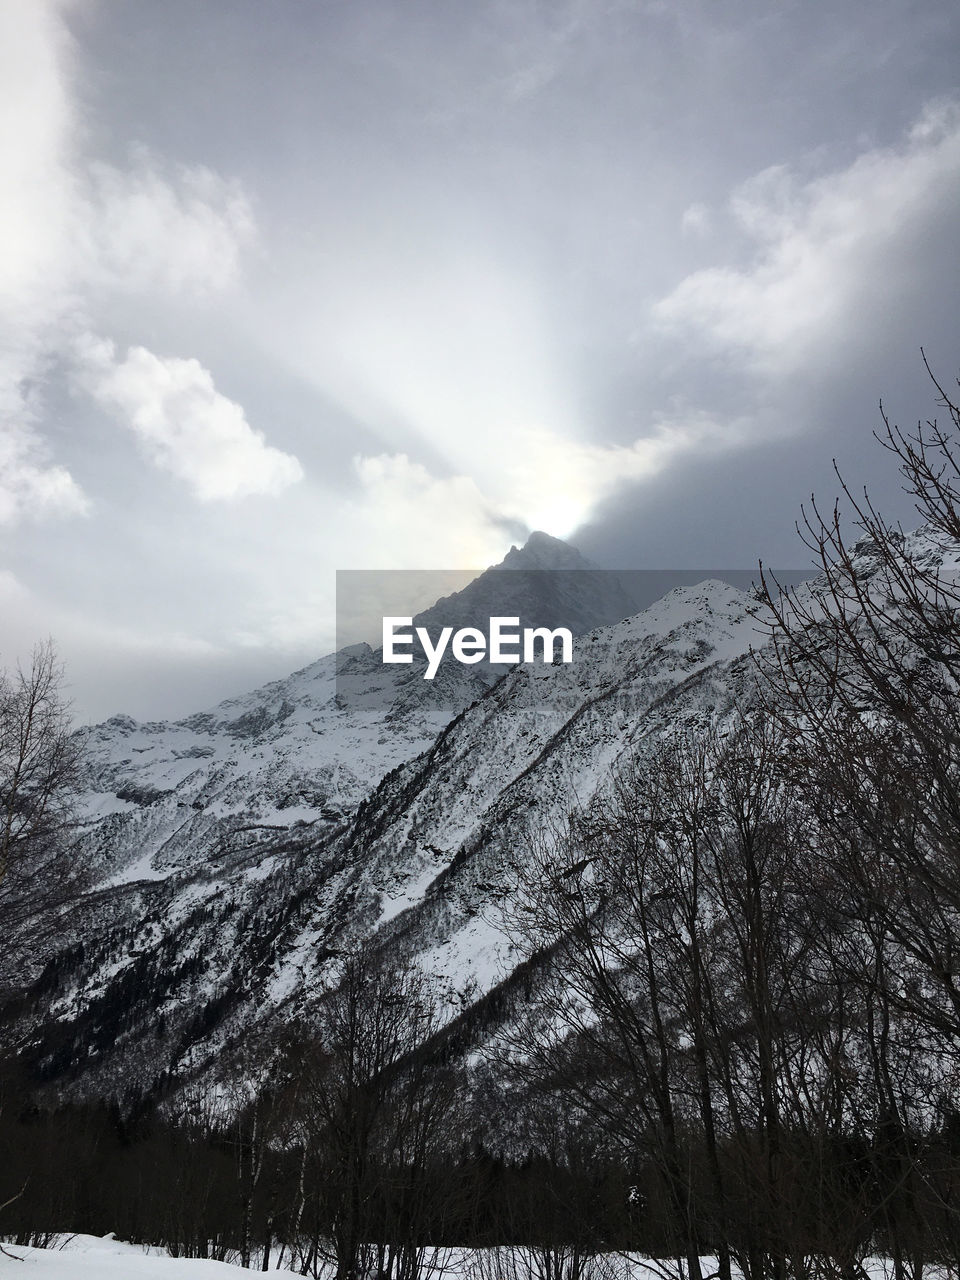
461 354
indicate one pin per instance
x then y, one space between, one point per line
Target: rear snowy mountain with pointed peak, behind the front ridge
308 749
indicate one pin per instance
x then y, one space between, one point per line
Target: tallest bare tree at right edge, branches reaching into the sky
865 678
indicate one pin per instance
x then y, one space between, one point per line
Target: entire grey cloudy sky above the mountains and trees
300 286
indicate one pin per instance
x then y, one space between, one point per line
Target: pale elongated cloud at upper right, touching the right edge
817 246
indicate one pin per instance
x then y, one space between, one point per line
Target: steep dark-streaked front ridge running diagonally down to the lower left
172 976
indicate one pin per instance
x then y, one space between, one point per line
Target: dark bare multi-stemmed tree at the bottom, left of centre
376 1116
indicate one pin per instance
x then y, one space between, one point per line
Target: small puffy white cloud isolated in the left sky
185 426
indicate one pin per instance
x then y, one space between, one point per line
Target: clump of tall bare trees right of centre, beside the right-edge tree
693 1012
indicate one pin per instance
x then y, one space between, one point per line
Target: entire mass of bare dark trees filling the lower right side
756 932
